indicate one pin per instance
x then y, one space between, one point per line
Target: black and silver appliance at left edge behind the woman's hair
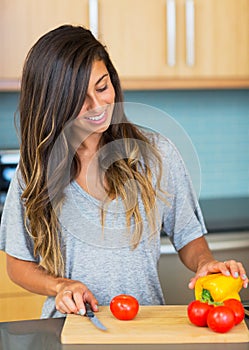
9 160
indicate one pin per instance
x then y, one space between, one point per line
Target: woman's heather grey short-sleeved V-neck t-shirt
103 259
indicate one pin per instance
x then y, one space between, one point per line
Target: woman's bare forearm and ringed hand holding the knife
70 296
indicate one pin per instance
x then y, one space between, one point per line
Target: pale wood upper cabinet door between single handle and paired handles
134 33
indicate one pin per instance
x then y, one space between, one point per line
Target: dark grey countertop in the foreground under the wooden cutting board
45 335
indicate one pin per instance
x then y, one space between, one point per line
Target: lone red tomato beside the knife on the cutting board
124 307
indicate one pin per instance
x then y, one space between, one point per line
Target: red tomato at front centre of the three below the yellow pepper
220 319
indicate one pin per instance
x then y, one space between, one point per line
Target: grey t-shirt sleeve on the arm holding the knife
14 238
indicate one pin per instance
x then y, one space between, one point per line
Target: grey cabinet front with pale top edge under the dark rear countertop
225 246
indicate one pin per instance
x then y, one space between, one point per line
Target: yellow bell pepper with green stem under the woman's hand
216 288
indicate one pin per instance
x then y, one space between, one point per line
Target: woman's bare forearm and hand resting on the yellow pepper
197 256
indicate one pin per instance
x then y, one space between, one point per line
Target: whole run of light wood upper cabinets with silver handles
153 43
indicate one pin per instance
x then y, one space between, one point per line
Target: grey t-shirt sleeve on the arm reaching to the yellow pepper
182 218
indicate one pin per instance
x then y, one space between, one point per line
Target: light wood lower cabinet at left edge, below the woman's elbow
15 302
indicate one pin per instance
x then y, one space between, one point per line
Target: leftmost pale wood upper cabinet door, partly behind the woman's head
24 21
